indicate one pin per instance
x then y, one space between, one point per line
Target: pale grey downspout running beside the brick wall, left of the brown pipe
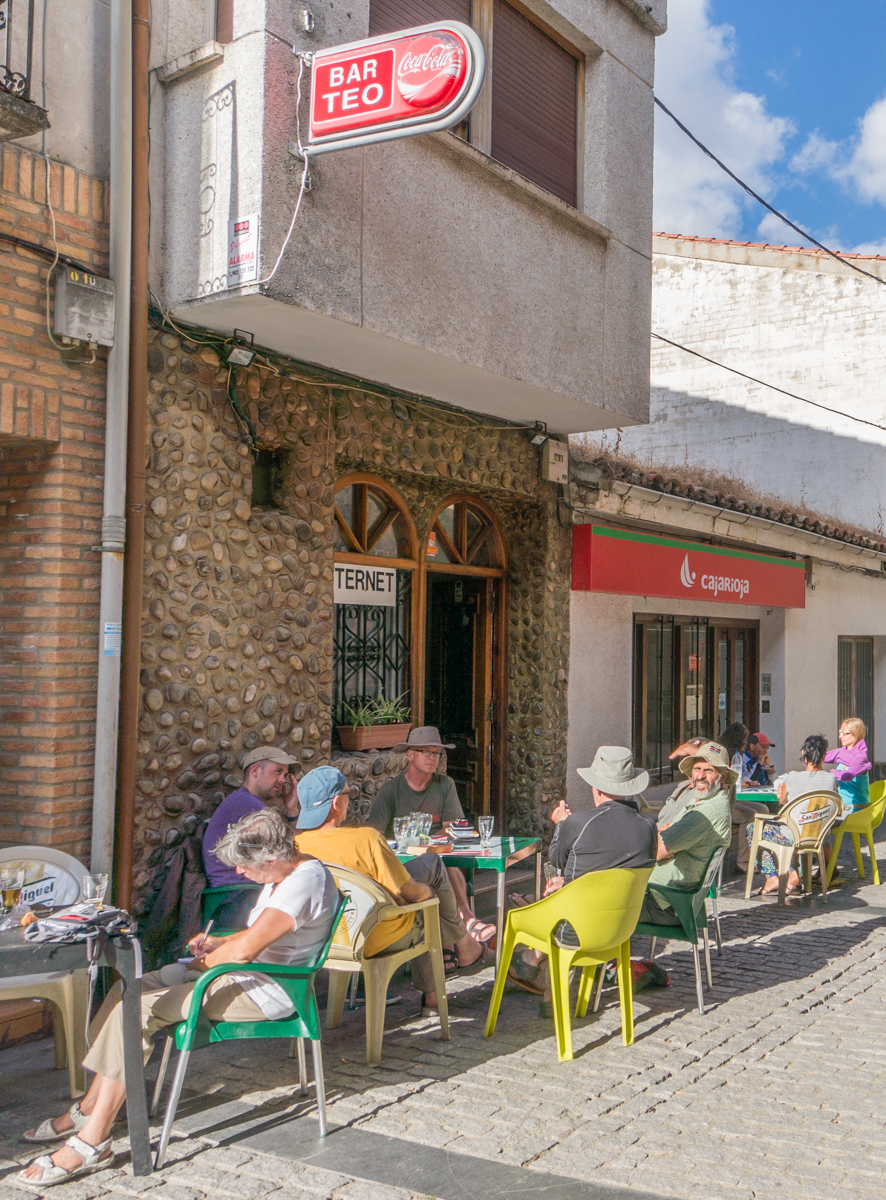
116 419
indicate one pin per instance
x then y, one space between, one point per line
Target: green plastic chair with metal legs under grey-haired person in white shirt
297 981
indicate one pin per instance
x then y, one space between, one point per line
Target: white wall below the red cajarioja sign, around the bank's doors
798 649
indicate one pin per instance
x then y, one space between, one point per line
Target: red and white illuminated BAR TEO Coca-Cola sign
420 81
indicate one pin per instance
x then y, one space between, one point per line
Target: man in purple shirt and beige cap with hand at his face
266 778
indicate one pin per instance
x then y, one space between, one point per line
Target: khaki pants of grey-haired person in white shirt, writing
161 1006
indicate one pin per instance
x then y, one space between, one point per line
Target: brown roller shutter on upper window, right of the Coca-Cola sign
535 103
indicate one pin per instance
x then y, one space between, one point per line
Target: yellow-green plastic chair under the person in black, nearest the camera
603 908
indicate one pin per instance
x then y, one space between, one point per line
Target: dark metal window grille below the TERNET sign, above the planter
372 650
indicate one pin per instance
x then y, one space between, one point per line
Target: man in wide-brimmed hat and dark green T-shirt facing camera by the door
423 789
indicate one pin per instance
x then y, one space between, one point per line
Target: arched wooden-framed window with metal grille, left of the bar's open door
373 643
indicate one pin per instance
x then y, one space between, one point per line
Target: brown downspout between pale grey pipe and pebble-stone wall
135 461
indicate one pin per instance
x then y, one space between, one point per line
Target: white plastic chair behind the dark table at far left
65 991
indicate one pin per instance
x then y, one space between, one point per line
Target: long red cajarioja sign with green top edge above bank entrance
631 563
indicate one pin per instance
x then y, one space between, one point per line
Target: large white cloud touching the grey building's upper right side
695 77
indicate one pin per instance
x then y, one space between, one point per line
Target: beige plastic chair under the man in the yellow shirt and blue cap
368 905
